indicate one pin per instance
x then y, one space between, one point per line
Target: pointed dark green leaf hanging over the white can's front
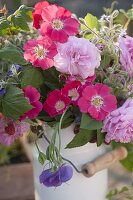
82 138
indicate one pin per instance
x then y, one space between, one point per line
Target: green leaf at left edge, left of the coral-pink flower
12 54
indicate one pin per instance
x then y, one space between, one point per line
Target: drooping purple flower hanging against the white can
55 179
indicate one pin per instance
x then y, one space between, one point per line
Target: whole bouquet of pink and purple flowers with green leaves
56 71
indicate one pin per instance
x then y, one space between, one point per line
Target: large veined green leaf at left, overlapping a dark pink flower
14 104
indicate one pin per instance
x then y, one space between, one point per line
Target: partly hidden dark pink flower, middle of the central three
72 90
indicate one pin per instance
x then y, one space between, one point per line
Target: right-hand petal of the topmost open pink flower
71 26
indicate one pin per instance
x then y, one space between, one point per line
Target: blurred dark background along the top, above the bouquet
80 7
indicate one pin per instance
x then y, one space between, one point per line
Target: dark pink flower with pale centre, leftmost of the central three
56 103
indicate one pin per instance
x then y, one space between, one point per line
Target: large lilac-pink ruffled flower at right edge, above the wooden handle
119 123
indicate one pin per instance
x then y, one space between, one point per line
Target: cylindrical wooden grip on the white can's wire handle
104 161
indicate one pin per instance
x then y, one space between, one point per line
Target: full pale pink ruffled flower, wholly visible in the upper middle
77 57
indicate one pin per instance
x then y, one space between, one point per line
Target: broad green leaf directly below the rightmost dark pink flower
90 124
